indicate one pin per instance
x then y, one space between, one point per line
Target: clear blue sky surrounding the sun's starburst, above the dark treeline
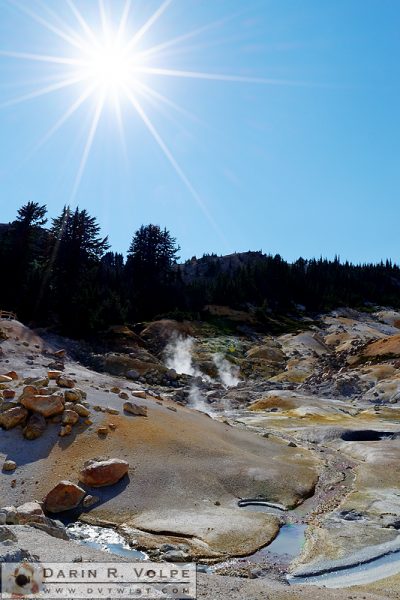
309 166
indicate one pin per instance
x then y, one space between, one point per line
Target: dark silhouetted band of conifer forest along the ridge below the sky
64 274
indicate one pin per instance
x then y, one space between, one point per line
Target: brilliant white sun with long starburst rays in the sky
108 64
